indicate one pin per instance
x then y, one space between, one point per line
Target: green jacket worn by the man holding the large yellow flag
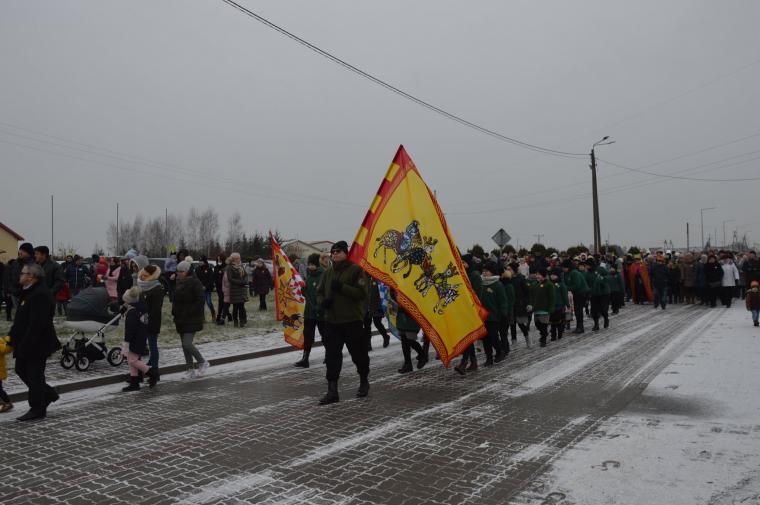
348 304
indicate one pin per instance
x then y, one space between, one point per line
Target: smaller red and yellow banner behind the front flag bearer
288 295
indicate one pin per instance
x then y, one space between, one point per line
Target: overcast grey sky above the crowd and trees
244 115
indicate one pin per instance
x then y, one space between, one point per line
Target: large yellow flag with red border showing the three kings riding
405 243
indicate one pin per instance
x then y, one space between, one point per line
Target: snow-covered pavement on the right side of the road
693 436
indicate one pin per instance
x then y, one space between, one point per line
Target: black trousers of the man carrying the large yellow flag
353 337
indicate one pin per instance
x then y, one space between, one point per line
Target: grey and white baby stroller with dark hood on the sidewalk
90 312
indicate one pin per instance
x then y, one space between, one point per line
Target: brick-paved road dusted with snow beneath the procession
257 436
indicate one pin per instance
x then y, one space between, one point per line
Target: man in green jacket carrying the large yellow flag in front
341 293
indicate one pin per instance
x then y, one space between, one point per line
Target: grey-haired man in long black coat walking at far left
33 340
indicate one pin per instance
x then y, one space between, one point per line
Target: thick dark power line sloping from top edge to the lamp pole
400 92
